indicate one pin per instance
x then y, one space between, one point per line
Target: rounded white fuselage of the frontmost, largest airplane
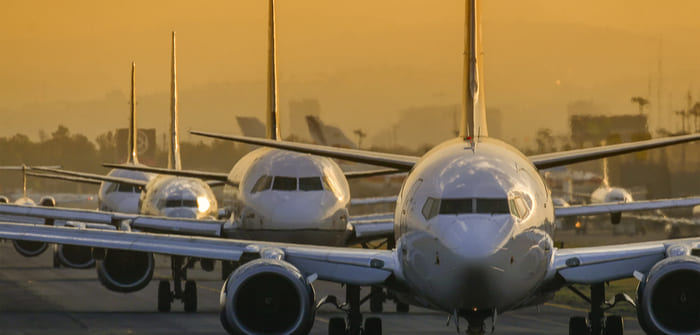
473 227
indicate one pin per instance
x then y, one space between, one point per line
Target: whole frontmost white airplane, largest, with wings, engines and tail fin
473 225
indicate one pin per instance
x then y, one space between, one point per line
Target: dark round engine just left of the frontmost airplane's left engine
125 271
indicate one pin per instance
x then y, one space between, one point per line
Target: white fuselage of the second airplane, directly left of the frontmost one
288 197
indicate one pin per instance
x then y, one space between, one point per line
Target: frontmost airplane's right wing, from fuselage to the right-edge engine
593 265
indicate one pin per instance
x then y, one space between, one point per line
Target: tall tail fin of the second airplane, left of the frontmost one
272 130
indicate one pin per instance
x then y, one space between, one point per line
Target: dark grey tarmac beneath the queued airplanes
38 299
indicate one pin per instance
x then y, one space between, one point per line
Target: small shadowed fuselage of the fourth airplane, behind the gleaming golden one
114 197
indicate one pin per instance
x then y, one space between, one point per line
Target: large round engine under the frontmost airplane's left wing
267 296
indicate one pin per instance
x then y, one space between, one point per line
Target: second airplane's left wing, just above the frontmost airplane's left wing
114 219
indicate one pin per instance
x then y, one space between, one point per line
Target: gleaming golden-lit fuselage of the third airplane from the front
179 197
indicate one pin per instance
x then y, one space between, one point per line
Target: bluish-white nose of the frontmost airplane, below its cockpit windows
475 236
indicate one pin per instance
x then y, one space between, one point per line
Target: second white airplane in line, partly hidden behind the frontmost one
268 191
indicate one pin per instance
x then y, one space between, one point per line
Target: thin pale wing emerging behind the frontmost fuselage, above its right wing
616 207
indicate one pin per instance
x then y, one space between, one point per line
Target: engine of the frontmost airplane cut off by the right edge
669 297
